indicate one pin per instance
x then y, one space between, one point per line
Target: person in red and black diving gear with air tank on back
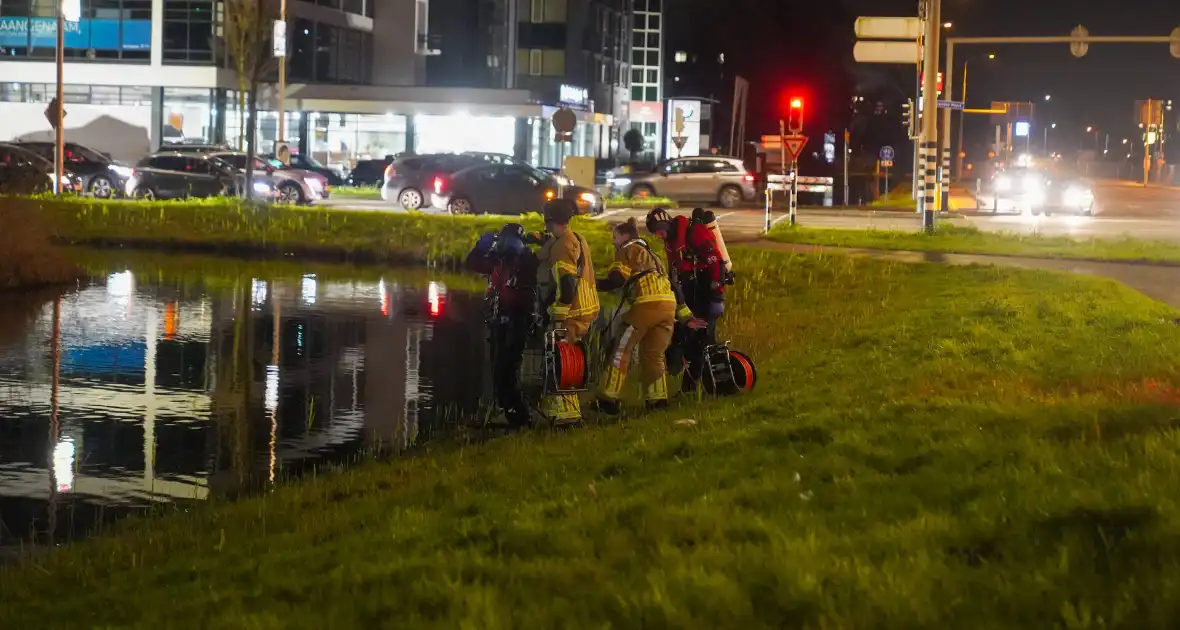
698 270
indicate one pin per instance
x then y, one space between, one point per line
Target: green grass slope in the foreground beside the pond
929 448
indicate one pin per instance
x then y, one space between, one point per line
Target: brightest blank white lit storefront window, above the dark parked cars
464 133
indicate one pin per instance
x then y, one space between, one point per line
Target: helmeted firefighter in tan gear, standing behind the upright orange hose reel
566 283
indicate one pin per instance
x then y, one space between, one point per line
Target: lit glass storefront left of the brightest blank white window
340 140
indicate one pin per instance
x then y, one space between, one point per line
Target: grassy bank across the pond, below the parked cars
228 227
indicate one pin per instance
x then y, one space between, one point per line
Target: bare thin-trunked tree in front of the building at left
247 34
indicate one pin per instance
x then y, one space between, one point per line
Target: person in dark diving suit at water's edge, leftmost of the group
512 271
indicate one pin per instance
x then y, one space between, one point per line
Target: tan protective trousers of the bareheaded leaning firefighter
648 327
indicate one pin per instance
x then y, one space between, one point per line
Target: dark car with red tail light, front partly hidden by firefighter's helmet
507 189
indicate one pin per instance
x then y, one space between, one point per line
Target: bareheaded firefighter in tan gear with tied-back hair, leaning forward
652 312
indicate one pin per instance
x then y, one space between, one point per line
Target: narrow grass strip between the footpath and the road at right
954 240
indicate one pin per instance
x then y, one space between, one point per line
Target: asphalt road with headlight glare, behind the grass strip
1124 209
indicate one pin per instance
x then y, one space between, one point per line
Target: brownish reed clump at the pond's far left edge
28 258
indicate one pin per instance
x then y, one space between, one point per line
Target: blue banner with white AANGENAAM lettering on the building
83 35
